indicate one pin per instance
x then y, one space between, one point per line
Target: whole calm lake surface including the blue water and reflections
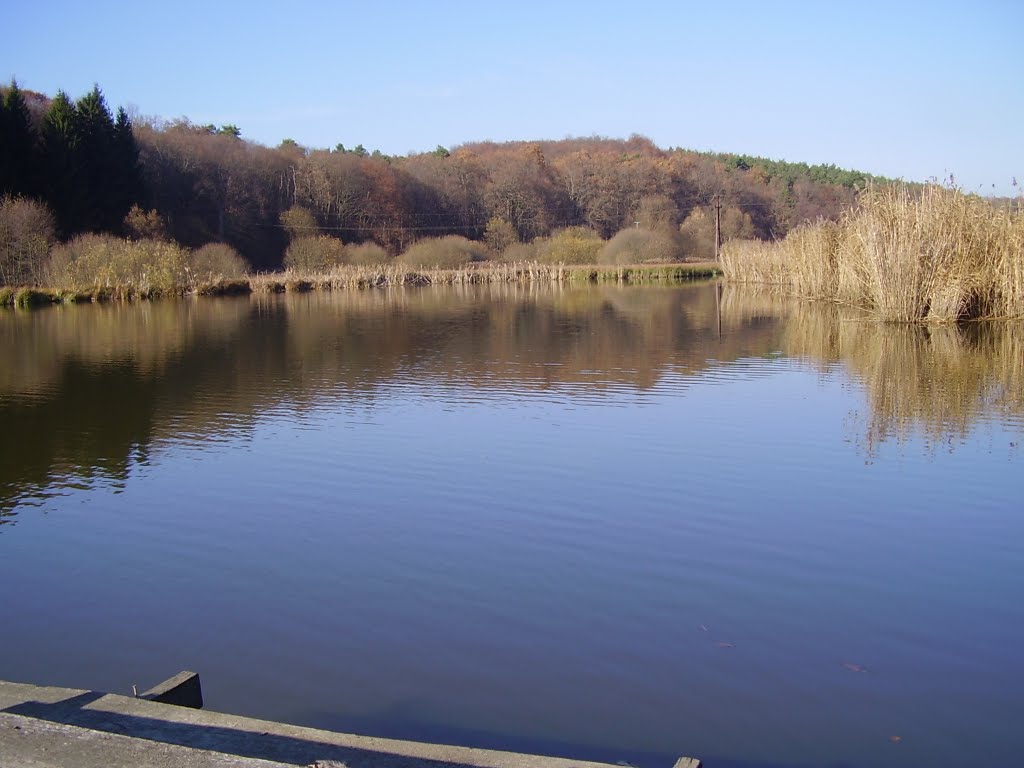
620 524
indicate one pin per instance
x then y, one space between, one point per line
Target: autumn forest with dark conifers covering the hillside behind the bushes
201 184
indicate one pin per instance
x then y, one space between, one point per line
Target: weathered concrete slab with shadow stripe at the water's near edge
44 724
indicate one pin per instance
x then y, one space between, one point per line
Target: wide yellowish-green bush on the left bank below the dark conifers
107 265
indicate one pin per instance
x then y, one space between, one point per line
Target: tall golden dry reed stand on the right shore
933 255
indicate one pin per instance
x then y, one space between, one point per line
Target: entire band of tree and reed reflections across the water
88 390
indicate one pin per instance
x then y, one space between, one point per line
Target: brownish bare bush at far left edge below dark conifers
26 236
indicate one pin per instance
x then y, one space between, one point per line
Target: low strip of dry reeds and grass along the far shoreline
355 277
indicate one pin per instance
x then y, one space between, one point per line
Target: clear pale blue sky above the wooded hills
912 91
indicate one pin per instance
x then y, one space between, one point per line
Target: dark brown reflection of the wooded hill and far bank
92 388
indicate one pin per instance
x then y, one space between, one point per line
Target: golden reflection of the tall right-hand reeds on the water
938 381
